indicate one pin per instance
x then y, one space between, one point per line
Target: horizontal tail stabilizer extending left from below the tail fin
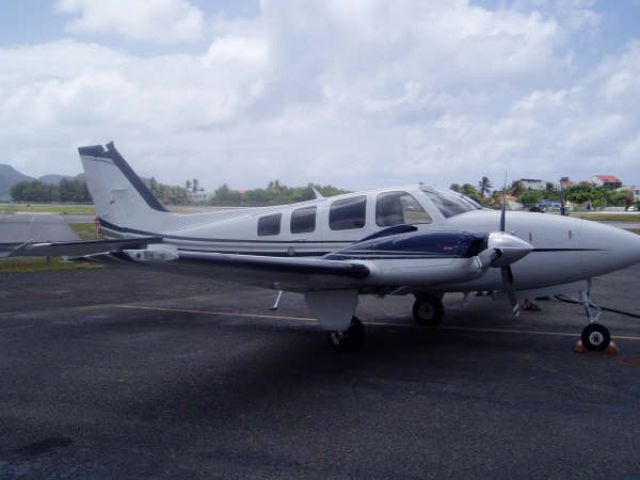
73 249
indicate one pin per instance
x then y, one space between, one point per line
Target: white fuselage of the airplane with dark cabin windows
565 249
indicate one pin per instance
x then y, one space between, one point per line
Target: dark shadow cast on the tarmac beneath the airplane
295 363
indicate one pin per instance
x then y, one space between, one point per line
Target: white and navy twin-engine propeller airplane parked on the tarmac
417 240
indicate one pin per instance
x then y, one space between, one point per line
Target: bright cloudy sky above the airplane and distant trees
354 93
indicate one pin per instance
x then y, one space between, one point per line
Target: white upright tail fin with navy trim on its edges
120 196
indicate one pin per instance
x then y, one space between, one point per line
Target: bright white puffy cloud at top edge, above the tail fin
158 21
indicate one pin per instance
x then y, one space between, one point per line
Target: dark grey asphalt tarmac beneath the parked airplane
111 374
